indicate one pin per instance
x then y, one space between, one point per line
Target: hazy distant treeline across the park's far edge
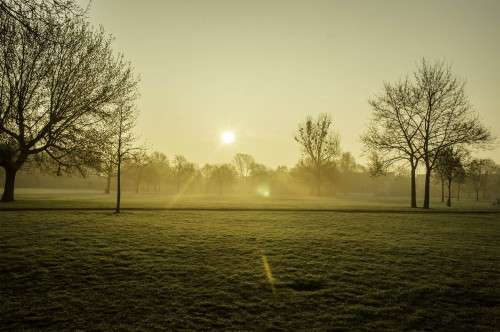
156 173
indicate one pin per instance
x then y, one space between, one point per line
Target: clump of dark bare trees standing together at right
423 120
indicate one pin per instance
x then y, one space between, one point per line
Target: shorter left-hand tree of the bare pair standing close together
392 134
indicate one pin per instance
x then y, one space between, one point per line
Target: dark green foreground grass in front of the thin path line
179 270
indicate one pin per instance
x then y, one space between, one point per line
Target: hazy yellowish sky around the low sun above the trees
259 67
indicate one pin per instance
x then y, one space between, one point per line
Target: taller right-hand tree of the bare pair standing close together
446 116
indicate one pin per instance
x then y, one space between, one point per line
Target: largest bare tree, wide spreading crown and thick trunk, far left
55 94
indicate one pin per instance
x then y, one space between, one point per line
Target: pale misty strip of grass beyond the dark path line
72 199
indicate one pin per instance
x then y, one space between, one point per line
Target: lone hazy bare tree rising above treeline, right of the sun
319 143
